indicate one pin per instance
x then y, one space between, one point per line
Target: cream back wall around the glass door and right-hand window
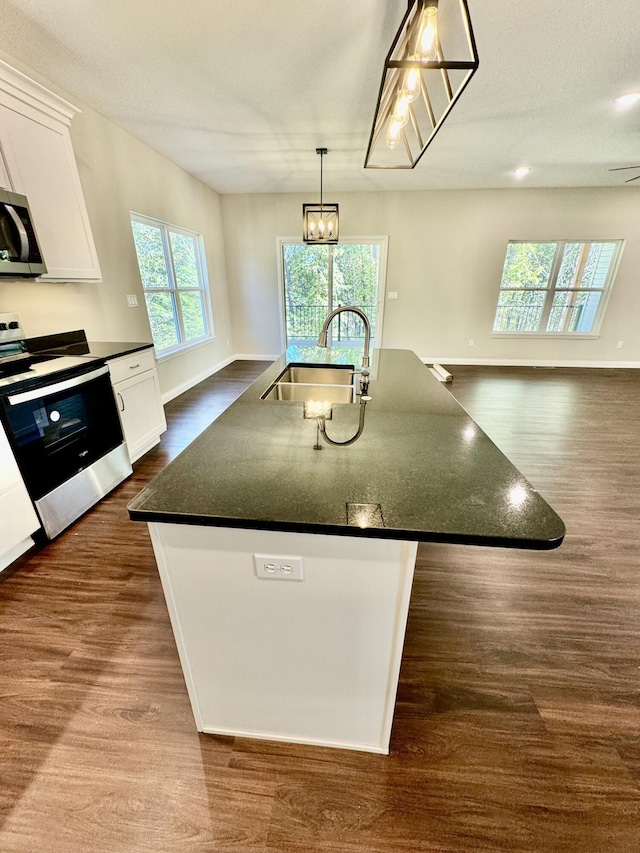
446 251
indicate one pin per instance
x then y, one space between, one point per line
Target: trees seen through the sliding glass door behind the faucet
320 278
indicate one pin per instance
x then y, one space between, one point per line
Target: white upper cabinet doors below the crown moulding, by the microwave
42 166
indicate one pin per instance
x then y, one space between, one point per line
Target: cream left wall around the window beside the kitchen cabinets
119 174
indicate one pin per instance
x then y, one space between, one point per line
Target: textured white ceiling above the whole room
241 94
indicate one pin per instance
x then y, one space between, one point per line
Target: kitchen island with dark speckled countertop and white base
288 570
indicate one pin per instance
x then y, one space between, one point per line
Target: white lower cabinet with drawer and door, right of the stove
137 392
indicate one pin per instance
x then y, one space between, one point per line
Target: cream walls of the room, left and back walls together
446 251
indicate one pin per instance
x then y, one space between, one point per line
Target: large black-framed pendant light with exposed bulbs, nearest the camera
432 58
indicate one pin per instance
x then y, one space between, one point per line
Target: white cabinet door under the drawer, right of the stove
141 412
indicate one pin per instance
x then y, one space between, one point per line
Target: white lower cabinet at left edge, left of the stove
18 519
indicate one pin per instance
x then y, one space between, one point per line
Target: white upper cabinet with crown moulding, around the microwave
37 160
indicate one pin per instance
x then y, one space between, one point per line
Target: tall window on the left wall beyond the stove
174 280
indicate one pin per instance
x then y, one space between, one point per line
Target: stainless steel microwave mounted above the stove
20 254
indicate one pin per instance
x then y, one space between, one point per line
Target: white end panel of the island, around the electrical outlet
314 661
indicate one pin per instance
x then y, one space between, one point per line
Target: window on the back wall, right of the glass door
556 288
